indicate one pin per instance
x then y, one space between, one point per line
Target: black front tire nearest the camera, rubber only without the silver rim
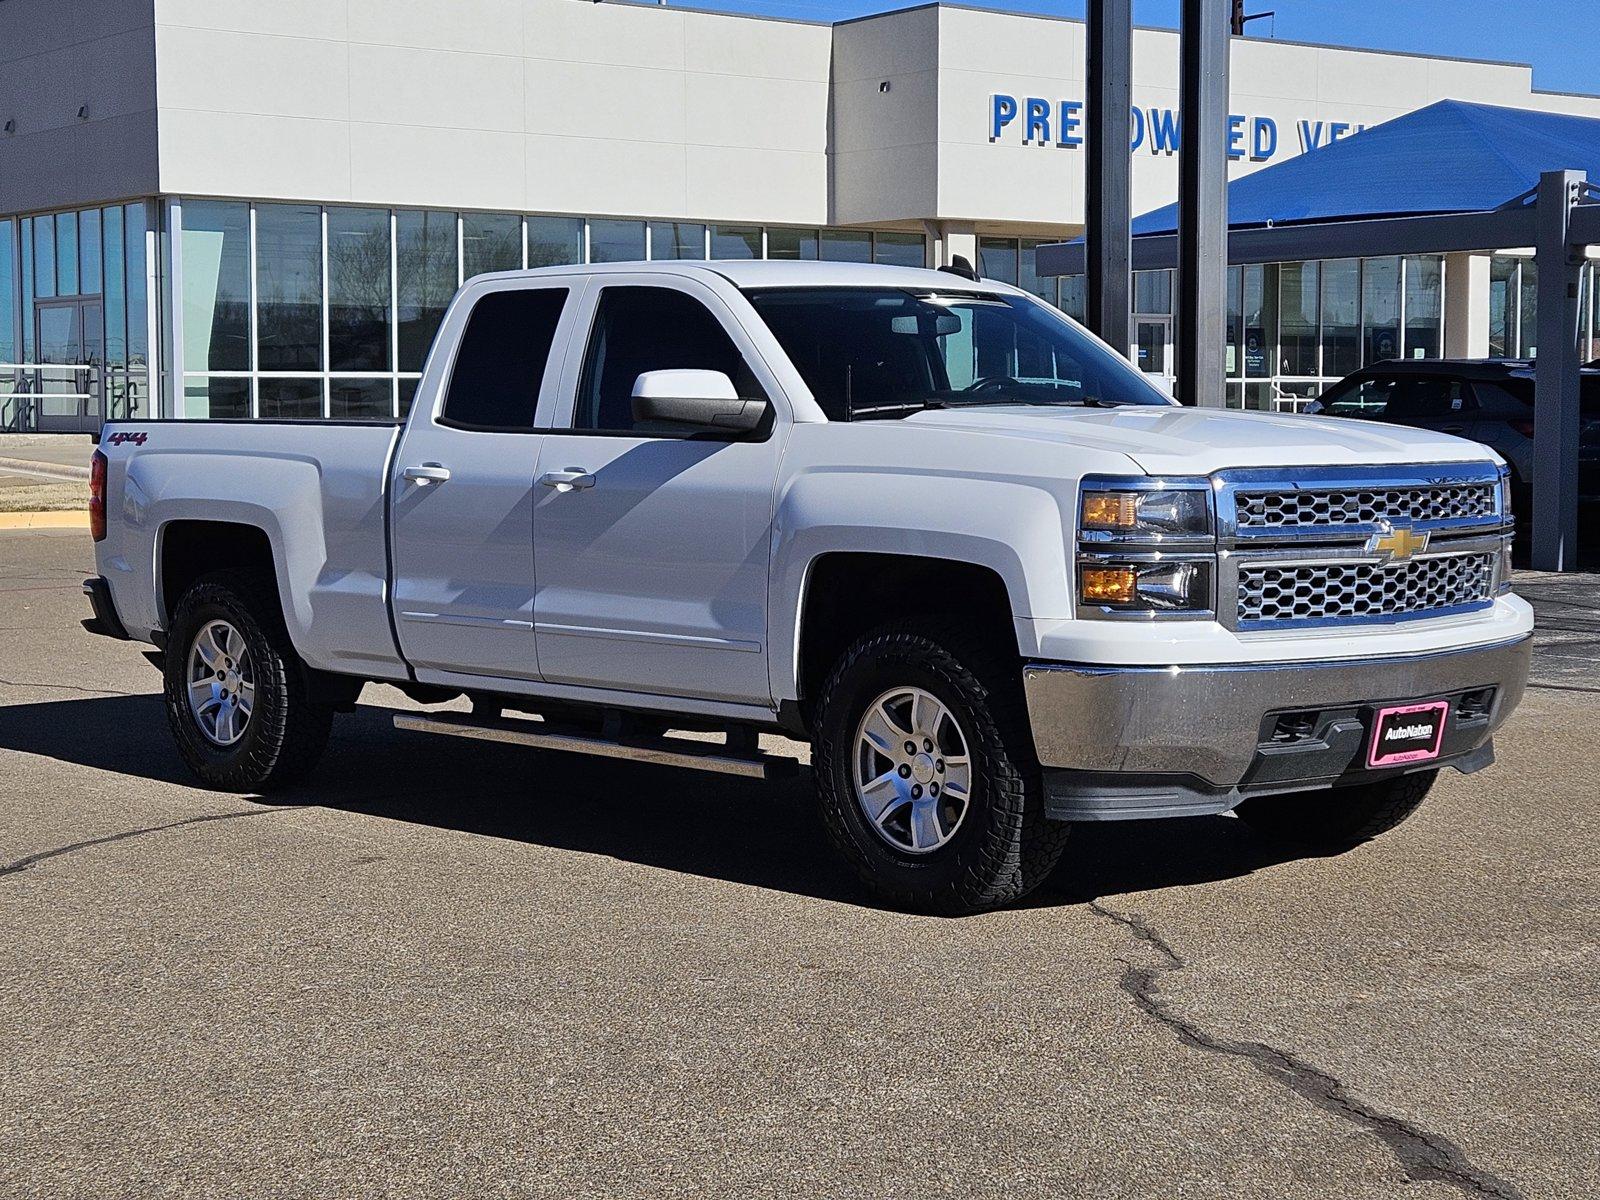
1004 847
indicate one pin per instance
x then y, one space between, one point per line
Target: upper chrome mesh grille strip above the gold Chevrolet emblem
1334 508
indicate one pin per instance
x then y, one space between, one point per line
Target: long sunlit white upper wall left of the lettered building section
503 105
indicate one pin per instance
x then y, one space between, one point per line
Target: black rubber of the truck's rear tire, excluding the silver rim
287 730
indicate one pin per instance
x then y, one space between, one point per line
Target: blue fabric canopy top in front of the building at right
1450 158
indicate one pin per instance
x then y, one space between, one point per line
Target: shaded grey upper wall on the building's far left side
52 65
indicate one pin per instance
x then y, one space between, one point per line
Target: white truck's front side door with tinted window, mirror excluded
654 543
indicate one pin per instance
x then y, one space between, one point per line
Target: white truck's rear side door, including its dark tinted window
462 486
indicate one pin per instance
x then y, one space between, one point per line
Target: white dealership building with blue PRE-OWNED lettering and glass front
230 209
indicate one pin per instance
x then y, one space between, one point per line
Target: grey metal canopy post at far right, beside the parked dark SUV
1556 382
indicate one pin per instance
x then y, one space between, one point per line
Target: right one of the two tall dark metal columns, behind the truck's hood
1202 204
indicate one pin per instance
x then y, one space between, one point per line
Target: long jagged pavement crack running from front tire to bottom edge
1425 1156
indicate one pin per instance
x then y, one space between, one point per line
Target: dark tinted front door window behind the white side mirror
650 330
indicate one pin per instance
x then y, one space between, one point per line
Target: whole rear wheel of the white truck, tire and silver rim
238 695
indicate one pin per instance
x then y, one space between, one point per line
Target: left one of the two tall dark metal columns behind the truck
1108 302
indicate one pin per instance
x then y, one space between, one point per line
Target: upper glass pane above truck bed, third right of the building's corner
359 302
